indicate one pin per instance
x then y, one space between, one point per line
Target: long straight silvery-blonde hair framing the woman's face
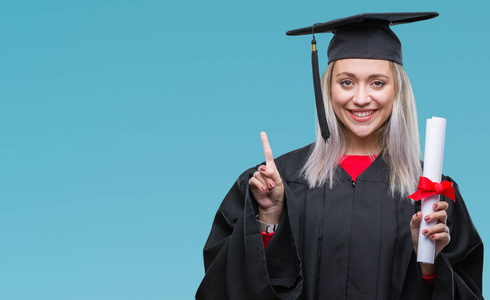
398 139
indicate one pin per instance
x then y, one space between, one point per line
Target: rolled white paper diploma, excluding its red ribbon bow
433 157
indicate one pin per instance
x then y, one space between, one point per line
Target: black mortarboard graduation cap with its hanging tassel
361 36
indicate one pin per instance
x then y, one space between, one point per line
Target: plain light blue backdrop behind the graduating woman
124 123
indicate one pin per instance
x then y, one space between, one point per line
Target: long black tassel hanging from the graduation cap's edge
320 109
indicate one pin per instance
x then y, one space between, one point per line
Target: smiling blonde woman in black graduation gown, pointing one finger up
332 220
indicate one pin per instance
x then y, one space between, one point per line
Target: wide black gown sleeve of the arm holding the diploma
459 264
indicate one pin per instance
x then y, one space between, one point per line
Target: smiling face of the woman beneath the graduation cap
363 92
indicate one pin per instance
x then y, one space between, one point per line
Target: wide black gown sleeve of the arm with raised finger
236 264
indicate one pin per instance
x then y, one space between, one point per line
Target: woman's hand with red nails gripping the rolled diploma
438 232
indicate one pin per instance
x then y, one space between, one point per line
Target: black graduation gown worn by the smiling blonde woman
349 242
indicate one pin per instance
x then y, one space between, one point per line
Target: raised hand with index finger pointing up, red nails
267 187
